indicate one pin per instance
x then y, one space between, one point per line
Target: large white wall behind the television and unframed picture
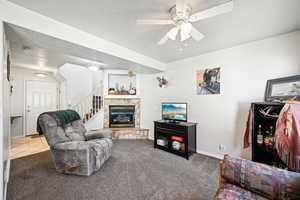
244 72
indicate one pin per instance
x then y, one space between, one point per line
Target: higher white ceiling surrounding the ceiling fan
116 21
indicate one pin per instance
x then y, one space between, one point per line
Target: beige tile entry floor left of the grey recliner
25 146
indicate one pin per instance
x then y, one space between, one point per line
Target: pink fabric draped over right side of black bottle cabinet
288 136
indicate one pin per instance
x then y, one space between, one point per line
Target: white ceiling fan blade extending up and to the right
211 12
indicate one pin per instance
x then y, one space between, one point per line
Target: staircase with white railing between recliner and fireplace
90 105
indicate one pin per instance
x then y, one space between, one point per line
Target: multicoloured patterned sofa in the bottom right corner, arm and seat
247 180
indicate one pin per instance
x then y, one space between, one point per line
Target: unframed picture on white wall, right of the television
208 81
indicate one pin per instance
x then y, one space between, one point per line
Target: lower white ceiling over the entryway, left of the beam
48 53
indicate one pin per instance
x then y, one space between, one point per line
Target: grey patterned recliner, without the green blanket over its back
76 151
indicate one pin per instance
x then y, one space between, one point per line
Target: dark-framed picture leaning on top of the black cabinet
283 89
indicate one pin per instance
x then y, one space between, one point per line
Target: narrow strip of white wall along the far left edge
4 116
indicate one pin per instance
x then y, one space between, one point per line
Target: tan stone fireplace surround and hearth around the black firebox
125 133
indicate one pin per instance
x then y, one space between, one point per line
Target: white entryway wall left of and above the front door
18 77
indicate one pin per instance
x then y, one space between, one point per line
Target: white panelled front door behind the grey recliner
40 97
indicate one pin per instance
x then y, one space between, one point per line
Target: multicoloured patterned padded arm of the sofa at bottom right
267 181
